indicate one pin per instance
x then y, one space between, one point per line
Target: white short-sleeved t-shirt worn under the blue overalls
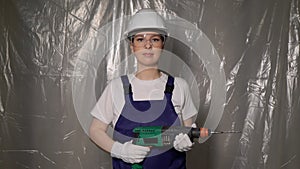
109 106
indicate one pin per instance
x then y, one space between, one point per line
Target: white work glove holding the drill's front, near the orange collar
182 141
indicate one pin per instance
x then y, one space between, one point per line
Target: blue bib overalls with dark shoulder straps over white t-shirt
148 113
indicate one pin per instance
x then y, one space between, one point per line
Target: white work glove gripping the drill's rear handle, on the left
129 152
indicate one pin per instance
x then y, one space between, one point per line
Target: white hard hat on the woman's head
146 20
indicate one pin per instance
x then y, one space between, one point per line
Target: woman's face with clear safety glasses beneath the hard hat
147 47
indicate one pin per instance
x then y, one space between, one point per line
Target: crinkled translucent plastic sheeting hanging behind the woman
42 42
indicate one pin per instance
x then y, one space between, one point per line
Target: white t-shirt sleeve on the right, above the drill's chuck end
188 108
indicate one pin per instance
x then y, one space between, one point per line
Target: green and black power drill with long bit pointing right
162 136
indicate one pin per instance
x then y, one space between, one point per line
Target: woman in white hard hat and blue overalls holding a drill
148 97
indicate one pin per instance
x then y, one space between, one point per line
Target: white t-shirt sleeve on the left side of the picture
103 110
